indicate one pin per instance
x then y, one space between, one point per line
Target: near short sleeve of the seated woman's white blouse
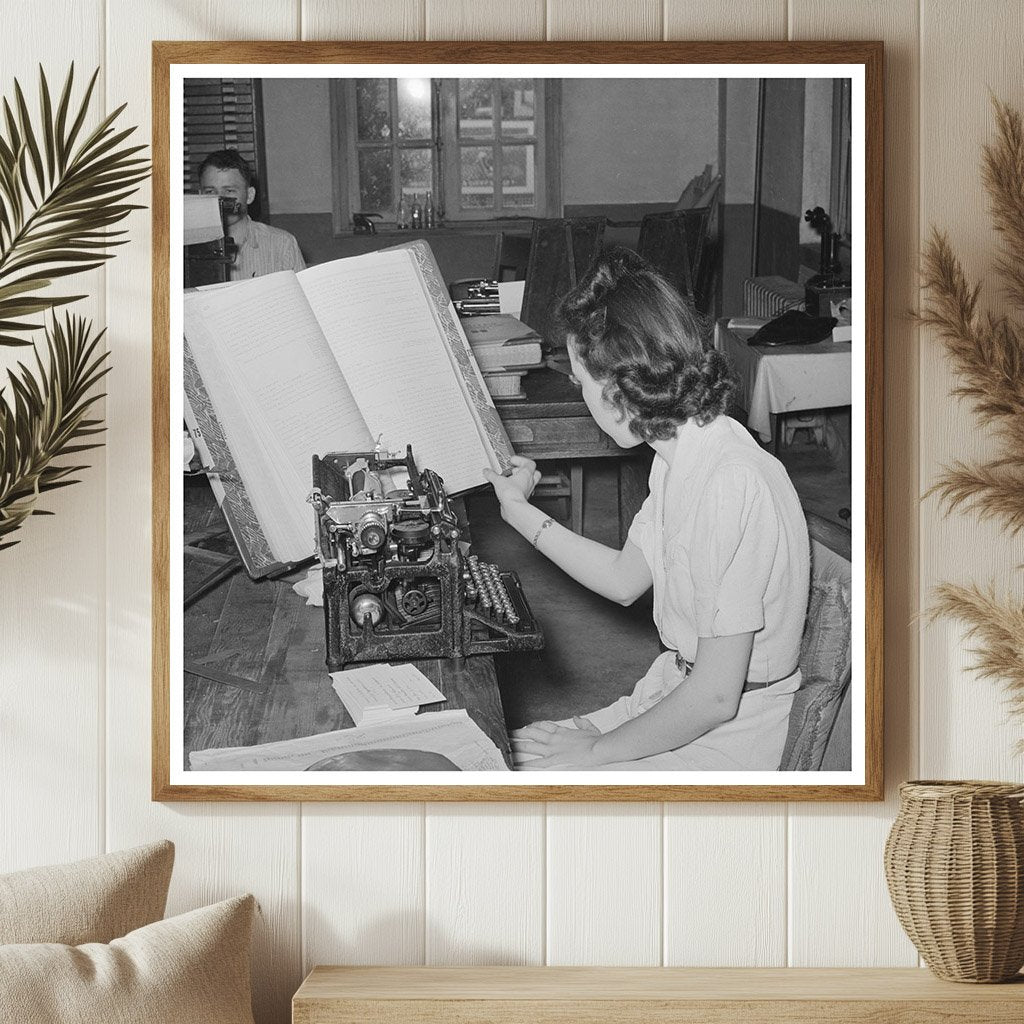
734 548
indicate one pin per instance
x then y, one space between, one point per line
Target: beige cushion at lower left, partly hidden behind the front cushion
93 901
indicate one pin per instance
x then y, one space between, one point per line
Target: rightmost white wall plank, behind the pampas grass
964 724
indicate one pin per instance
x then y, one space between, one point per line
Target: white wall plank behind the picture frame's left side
223 849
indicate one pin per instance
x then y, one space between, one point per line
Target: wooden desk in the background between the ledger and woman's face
554 423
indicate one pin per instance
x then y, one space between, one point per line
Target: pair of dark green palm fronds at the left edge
63 192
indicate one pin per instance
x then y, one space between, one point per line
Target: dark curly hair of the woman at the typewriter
641 340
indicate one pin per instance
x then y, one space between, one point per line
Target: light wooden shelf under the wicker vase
638 996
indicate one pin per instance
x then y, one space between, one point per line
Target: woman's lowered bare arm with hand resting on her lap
708 698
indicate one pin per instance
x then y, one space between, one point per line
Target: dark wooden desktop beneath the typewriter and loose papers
266 650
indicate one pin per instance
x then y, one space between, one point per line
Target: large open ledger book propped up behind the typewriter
334 359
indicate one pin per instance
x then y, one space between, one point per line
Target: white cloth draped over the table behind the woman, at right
787 378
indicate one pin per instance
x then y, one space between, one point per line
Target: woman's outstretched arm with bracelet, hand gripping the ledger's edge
620 576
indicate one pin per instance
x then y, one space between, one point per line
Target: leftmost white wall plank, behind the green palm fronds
52 600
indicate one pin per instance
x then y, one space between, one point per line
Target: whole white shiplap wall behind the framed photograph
749 884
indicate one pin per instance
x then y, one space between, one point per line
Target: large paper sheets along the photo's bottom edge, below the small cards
451 734
